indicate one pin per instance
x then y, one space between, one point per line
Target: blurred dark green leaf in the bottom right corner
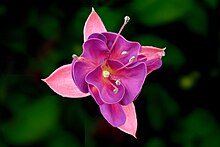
199 128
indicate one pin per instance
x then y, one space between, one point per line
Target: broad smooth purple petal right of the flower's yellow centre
133 79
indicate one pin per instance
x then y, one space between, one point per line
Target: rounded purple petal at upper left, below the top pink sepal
95 51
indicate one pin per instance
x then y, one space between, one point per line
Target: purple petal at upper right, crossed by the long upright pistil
123 50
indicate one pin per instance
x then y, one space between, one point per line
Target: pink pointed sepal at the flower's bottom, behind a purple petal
130 125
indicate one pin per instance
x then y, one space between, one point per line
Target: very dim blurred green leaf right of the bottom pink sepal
160 106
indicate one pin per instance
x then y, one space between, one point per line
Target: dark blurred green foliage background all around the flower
178 105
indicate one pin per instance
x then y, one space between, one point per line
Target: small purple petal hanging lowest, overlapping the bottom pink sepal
113 113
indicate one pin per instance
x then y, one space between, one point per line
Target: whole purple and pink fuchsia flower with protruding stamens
111 69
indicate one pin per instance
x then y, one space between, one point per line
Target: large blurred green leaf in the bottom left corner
33 122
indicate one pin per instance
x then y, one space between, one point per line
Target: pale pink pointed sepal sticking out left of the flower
61 82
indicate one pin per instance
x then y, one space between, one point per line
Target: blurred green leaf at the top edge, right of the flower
159 12
